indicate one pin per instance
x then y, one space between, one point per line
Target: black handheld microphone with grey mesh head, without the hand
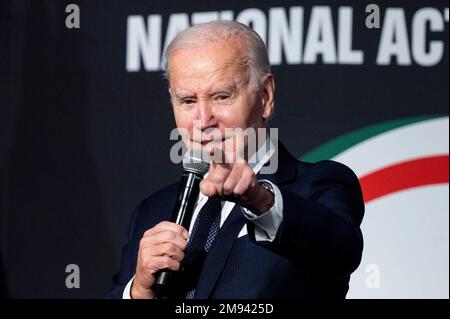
195 164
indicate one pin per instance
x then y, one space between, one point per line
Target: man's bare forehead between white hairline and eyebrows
207 66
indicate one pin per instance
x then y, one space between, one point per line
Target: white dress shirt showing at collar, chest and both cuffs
266 225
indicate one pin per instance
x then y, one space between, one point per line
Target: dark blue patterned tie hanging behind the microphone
204 231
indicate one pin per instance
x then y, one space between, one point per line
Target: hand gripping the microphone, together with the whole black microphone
161 249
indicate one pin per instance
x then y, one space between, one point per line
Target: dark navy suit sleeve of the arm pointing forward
321 220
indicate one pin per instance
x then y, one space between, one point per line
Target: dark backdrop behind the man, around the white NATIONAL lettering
83 140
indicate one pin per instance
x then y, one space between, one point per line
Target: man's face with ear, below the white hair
210 87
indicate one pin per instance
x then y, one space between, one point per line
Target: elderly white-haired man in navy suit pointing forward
291 234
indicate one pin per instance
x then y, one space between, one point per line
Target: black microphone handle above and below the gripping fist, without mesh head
182 215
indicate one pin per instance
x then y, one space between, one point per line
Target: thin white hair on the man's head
256 60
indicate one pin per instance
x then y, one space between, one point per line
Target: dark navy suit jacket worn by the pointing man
318 245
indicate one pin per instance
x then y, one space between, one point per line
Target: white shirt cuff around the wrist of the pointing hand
267 224
